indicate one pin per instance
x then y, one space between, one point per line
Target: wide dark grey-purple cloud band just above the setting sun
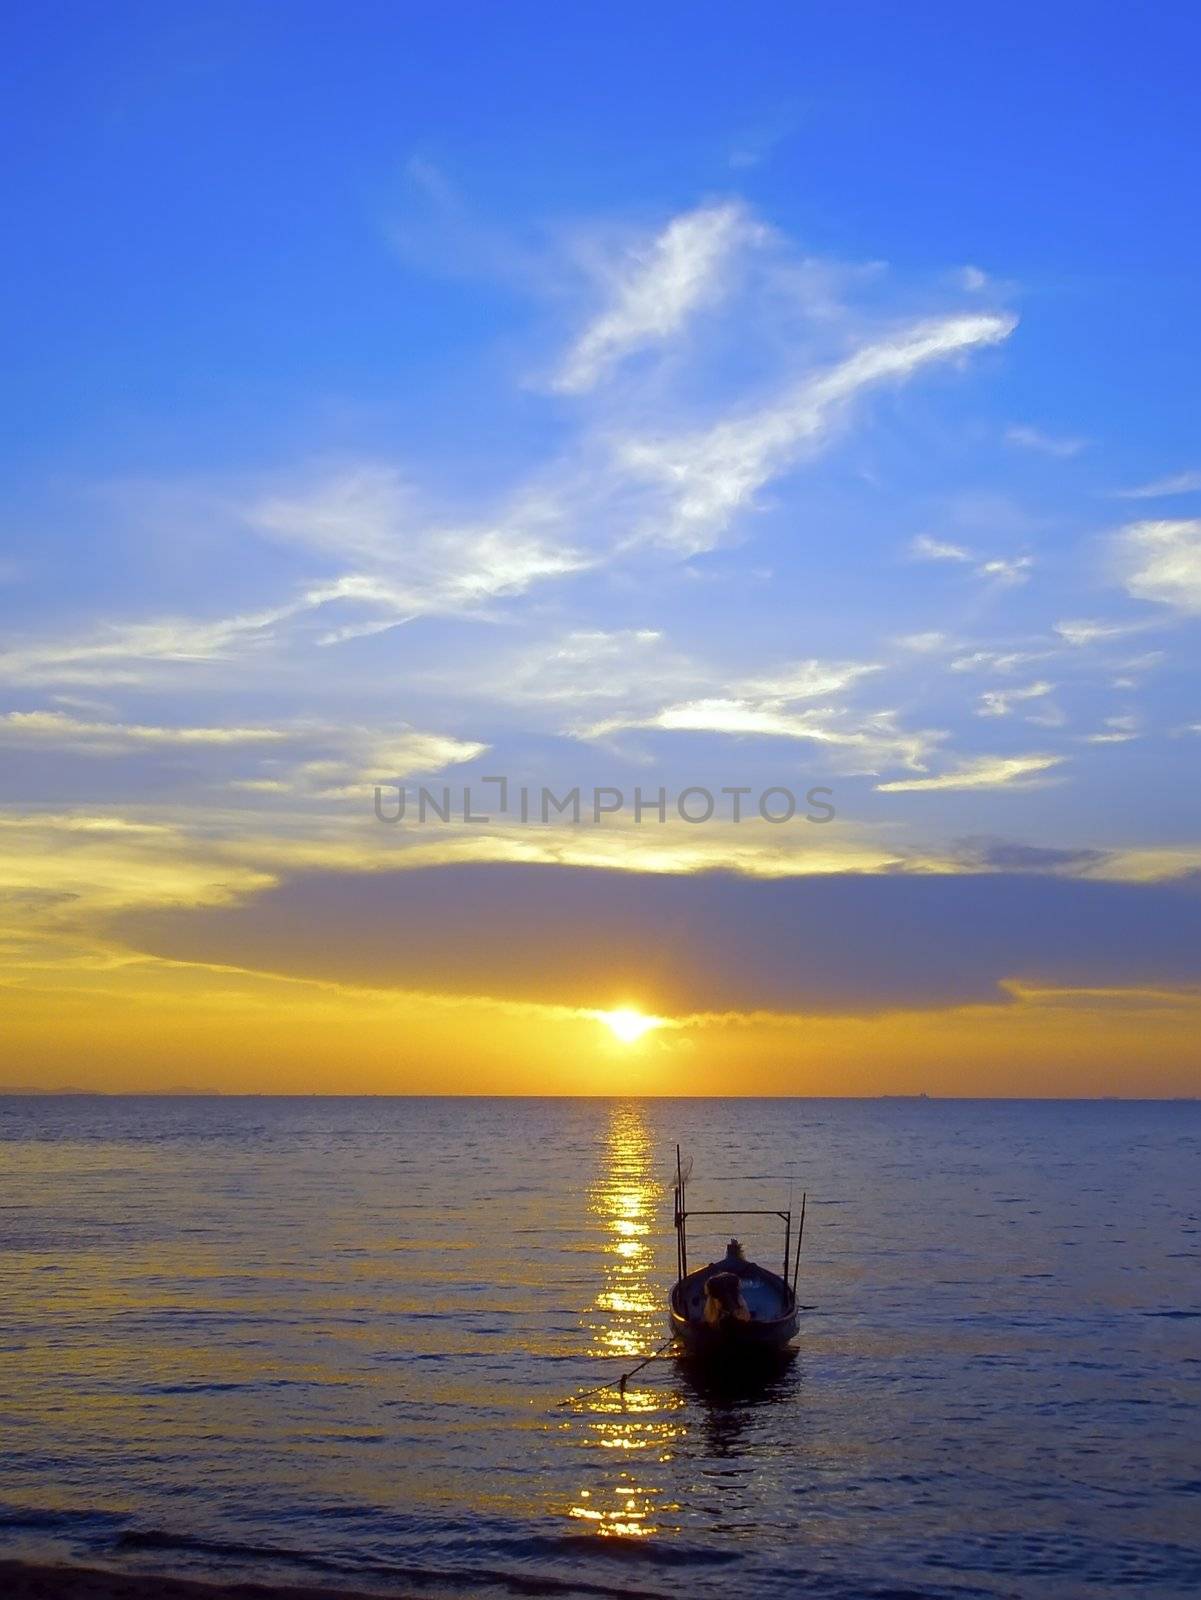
698 943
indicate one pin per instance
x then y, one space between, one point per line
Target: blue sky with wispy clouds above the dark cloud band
796 398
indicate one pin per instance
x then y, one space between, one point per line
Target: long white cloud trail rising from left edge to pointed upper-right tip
397 562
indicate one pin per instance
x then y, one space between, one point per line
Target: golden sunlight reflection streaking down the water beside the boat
628 1322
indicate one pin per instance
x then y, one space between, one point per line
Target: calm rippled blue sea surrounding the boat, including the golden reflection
327 1340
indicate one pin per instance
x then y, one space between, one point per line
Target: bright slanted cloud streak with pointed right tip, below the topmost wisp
708 478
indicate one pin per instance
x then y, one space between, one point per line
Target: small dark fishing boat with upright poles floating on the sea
733 1311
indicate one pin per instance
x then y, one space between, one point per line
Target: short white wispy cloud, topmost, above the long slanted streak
658 290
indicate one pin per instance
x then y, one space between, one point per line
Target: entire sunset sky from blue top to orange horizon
776 409
